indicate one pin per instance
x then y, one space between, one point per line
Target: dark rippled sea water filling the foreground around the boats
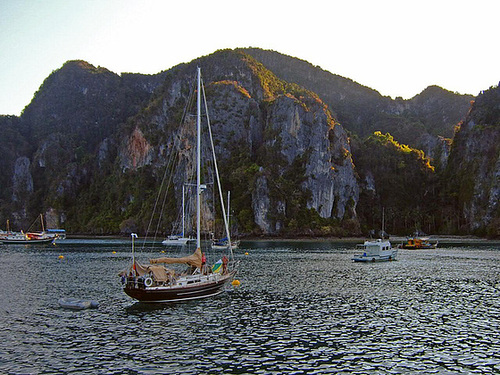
302 308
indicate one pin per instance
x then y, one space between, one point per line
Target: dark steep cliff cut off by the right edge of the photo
474 165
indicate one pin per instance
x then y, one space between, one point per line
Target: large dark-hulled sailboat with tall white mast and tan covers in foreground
154 282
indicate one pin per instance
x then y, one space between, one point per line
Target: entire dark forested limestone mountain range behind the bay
91 147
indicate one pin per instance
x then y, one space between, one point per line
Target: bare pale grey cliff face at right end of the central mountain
329 171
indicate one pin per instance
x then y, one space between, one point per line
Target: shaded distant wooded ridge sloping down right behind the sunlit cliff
418 122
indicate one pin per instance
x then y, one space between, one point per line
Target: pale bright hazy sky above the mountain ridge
396 47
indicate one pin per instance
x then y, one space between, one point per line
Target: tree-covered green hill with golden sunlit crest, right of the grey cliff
399 179
